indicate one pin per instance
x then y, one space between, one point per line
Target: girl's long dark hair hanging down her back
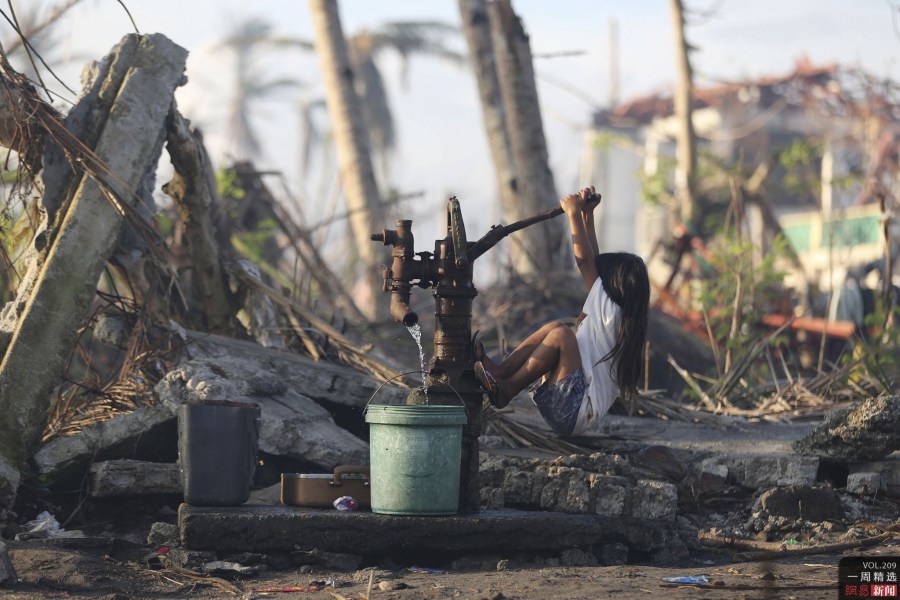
625 281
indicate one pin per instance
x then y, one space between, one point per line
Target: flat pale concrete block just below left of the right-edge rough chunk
768 470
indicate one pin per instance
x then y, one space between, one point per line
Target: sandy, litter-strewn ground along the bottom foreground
121 570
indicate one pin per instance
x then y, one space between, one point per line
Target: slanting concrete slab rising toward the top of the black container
62 452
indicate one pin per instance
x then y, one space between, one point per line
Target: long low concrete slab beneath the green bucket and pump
272 529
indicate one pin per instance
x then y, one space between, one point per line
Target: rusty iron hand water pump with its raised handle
448 271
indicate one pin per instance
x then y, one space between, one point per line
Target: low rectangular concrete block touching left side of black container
134 478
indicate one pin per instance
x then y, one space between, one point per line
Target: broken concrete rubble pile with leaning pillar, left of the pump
119 126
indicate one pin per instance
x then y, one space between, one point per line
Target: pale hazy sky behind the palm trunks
442 148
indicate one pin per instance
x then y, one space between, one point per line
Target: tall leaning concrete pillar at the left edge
142 74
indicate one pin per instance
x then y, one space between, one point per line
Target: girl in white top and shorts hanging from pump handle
583 369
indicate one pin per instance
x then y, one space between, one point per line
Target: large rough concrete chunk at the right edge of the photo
865 432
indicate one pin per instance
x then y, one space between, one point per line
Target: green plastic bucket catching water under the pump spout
414 458
